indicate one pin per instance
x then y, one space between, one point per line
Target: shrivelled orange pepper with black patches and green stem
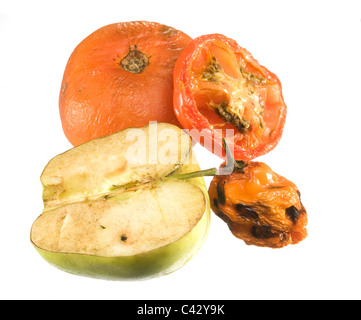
260 207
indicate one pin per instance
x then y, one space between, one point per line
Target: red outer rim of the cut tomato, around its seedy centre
187 111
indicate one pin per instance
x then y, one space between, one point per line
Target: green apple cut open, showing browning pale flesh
112 209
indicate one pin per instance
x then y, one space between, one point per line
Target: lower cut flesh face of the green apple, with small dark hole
149 219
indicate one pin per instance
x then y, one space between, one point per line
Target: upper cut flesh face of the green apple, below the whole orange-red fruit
96 166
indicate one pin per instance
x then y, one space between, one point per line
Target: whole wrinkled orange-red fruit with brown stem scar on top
120 76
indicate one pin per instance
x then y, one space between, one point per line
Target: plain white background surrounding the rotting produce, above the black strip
315 49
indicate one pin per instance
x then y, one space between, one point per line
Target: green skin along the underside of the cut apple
151 264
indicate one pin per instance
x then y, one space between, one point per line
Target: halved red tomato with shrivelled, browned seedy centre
220 90
